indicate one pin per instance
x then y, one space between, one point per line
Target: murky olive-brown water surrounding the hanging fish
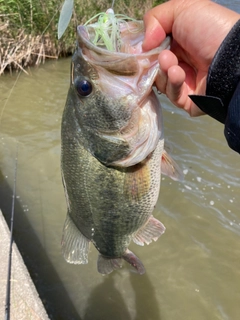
192 270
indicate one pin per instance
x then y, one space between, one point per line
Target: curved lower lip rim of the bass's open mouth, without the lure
126 62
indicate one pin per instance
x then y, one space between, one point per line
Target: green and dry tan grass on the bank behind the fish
28 28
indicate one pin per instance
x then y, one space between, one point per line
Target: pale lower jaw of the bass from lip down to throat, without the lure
126 74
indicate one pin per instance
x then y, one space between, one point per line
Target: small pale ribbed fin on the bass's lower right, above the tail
152 230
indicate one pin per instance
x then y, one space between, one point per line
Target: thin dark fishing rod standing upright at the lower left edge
8 289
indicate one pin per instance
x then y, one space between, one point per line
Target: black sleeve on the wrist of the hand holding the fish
222 99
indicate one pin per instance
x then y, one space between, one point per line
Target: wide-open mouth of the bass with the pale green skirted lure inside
116 44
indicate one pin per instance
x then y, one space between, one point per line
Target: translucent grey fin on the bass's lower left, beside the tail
75 245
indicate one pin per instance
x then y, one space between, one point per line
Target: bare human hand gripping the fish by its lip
198 28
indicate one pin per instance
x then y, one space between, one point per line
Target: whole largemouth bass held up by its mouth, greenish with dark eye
112 147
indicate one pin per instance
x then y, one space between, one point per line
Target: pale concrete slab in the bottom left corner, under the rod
25 301
